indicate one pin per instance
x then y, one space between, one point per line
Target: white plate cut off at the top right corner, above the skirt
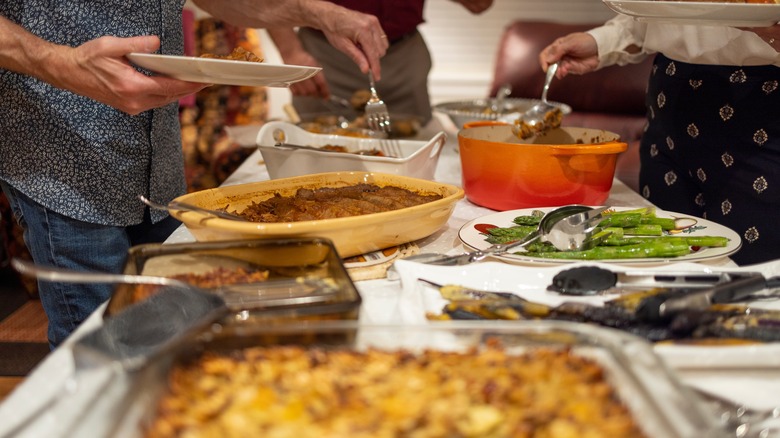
701 13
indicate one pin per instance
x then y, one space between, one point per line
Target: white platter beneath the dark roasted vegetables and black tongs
530 282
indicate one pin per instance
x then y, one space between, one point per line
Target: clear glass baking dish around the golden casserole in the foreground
657 401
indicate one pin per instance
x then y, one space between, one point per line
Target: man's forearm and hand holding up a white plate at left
97 69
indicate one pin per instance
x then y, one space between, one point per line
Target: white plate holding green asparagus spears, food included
635 235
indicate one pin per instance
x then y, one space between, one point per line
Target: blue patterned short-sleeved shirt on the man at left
76 156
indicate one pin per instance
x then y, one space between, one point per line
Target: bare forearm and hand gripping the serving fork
356 34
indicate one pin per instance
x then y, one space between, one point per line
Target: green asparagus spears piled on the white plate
628 234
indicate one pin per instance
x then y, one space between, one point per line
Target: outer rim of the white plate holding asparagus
515 259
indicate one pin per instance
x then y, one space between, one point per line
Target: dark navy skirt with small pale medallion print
712 149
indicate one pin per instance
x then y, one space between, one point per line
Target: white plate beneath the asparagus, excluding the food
471 236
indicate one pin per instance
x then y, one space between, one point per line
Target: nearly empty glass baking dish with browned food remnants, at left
305 277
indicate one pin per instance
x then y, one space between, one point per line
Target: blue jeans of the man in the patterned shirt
62 242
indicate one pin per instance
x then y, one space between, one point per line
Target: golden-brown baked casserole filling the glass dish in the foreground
291 391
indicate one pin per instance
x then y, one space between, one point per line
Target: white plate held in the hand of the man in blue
223 71
